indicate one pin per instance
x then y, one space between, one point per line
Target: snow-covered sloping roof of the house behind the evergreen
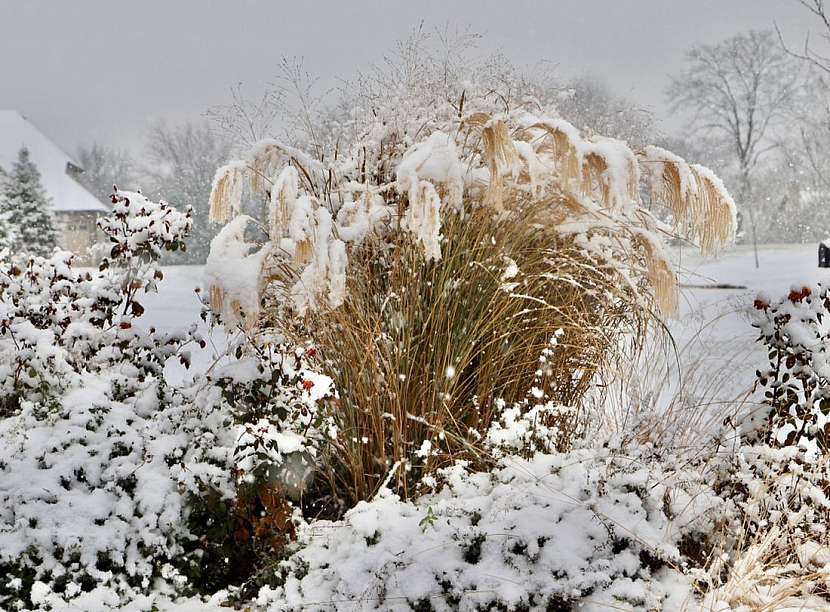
66 193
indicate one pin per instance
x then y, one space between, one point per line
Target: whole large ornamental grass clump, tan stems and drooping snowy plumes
483 256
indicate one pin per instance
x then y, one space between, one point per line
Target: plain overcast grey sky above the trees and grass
85 70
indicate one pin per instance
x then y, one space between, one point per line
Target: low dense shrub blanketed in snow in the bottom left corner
89 490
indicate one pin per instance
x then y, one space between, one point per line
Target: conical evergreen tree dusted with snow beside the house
26 208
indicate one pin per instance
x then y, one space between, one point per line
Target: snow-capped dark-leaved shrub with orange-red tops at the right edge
796 333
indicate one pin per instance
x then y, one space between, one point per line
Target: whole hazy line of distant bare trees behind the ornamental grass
757 114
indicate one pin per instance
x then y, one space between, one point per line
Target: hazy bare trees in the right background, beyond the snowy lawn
758 114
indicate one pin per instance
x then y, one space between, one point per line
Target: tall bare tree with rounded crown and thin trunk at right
739 89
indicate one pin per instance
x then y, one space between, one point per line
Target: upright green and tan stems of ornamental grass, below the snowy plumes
424 350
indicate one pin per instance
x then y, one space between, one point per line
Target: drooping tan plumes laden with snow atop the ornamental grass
519 153
